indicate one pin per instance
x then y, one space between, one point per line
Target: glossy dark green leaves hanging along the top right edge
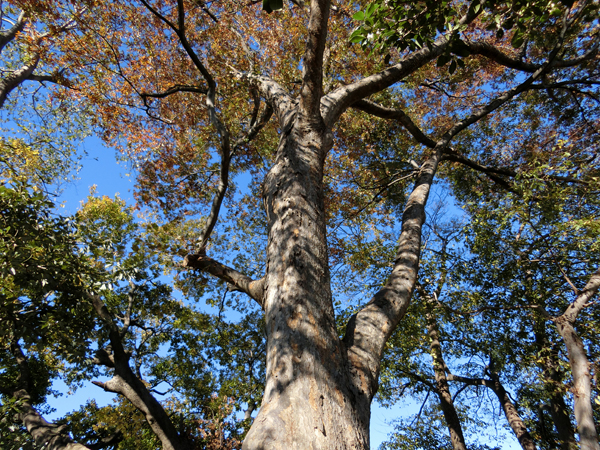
405 25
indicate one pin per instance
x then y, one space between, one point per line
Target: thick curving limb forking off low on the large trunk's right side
369 329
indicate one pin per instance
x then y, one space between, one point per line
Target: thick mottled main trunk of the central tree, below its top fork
309 401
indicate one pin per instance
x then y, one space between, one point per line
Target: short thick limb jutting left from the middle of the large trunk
254 288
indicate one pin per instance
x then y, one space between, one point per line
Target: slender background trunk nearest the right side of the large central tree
443 389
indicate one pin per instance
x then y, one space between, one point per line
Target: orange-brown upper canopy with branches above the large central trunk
186 88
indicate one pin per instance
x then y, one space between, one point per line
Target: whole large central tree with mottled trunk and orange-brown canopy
197 91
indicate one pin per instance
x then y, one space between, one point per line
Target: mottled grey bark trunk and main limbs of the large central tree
319 389
